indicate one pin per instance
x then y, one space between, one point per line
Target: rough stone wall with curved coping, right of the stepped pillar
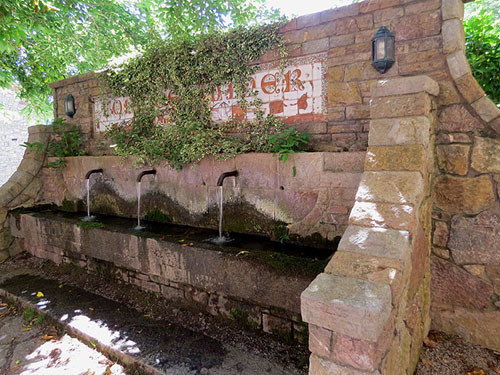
466 214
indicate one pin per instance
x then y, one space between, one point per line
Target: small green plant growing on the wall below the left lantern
65 141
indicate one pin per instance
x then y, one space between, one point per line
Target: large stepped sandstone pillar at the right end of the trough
369 311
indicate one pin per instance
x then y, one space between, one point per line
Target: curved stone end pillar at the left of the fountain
23 187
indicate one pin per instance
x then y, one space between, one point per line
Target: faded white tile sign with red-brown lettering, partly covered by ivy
296 95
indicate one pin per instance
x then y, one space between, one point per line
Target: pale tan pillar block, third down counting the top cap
399 131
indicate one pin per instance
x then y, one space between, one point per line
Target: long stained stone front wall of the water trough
226 283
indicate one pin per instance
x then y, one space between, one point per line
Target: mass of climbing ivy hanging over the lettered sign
175 80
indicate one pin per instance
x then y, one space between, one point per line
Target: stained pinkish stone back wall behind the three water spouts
310 196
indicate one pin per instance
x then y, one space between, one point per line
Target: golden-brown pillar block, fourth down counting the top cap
395 158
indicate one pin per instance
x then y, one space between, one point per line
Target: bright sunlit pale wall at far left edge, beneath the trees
13 133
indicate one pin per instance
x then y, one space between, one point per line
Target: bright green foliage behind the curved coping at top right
483 51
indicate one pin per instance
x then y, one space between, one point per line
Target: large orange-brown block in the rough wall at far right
463 195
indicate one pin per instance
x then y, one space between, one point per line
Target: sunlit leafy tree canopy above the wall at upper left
42 41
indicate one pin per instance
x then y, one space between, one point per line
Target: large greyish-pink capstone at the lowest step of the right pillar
353 307
